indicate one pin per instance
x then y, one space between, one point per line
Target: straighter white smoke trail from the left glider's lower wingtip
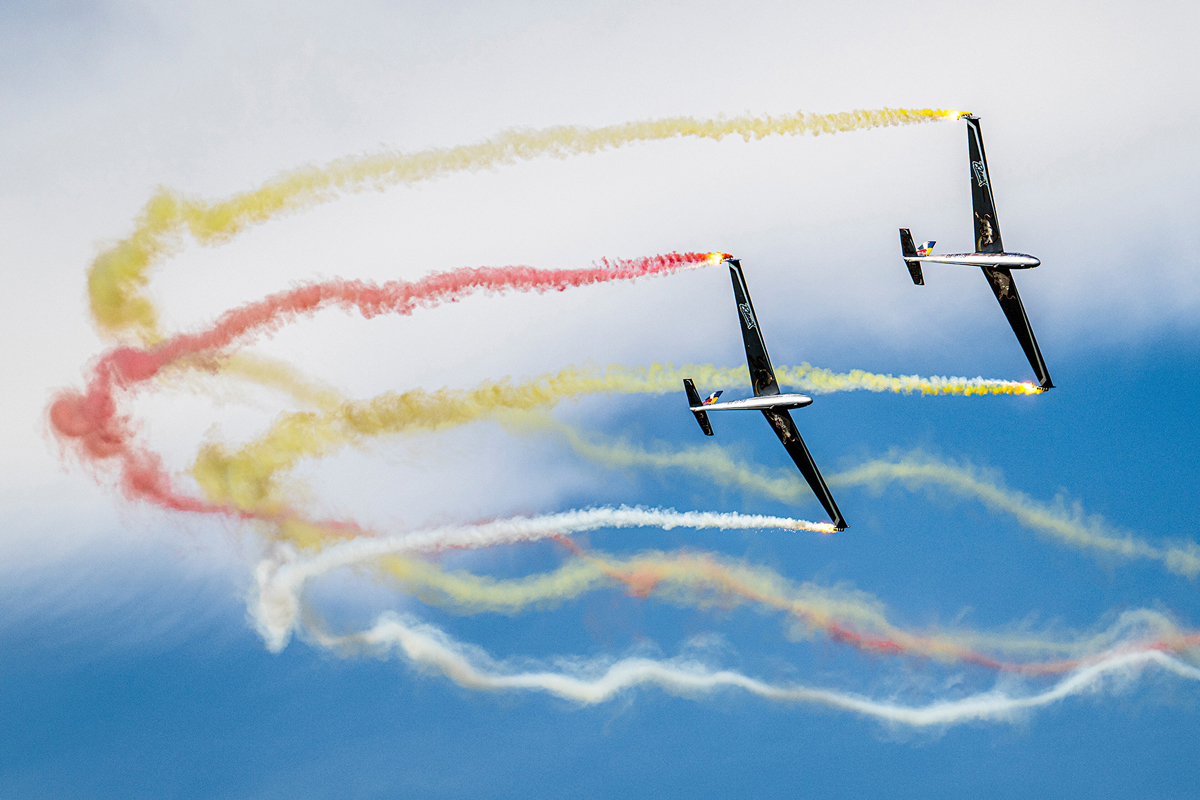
280 580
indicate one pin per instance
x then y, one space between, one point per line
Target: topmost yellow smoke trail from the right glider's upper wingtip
119 275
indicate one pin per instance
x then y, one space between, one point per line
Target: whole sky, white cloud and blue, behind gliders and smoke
130 664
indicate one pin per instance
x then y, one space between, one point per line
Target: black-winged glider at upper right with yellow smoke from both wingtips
989 256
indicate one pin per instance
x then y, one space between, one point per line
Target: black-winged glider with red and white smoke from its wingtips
767 398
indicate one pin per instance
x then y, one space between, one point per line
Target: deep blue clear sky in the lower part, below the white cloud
155 687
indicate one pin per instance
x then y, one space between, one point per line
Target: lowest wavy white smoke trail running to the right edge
428 647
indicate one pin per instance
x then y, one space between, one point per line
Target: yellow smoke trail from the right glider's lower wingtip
247 478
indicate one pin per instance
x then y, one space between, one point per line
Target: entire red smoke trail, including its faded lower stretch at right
89 422
